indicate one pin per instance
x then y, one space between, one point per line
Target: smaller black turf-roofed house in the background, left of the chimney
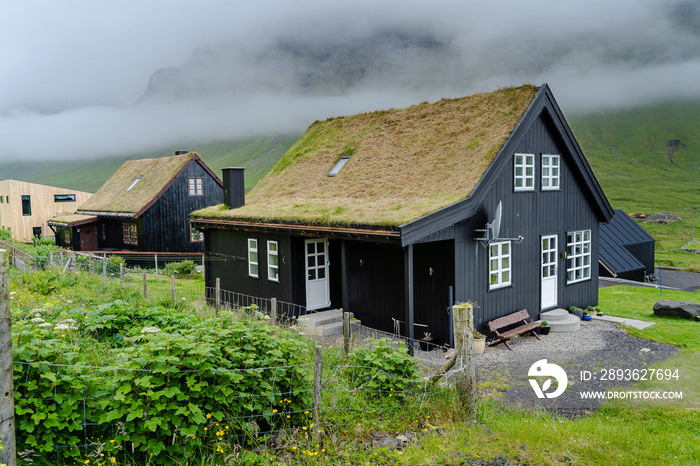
144 206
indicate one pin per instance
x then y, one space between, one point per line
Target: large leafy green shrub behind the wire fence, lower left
174 376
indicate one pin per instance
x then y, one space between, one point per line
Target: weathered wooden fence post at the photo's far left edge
7 392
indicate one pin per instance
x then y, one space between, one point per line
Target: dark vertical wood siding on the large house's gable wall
530 215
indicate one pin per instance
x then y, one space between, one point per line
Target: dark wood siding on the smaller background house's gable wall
166 223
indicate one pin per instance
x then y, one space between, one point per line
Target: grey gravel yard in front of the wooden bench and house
598 345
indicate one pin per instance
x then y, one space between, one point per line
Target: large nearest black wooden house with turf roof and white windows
395 214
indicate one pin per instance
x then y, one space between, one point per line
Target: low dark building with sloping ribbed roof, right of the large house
626 250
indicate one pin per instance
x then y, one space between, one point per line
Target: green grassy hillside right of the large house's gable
648 160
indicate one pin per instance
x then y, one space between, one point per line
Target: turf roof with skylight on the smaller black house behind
156 176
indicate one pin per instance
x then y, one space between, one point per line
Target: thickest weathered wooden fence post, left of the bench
463 316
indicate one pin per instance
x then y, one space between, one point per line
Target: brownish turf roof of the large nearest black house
405 163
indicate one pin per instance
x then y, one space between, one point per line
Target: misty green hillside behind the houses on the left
258 155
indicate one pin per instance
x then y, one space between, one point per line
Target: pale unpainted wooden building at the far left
26 208
